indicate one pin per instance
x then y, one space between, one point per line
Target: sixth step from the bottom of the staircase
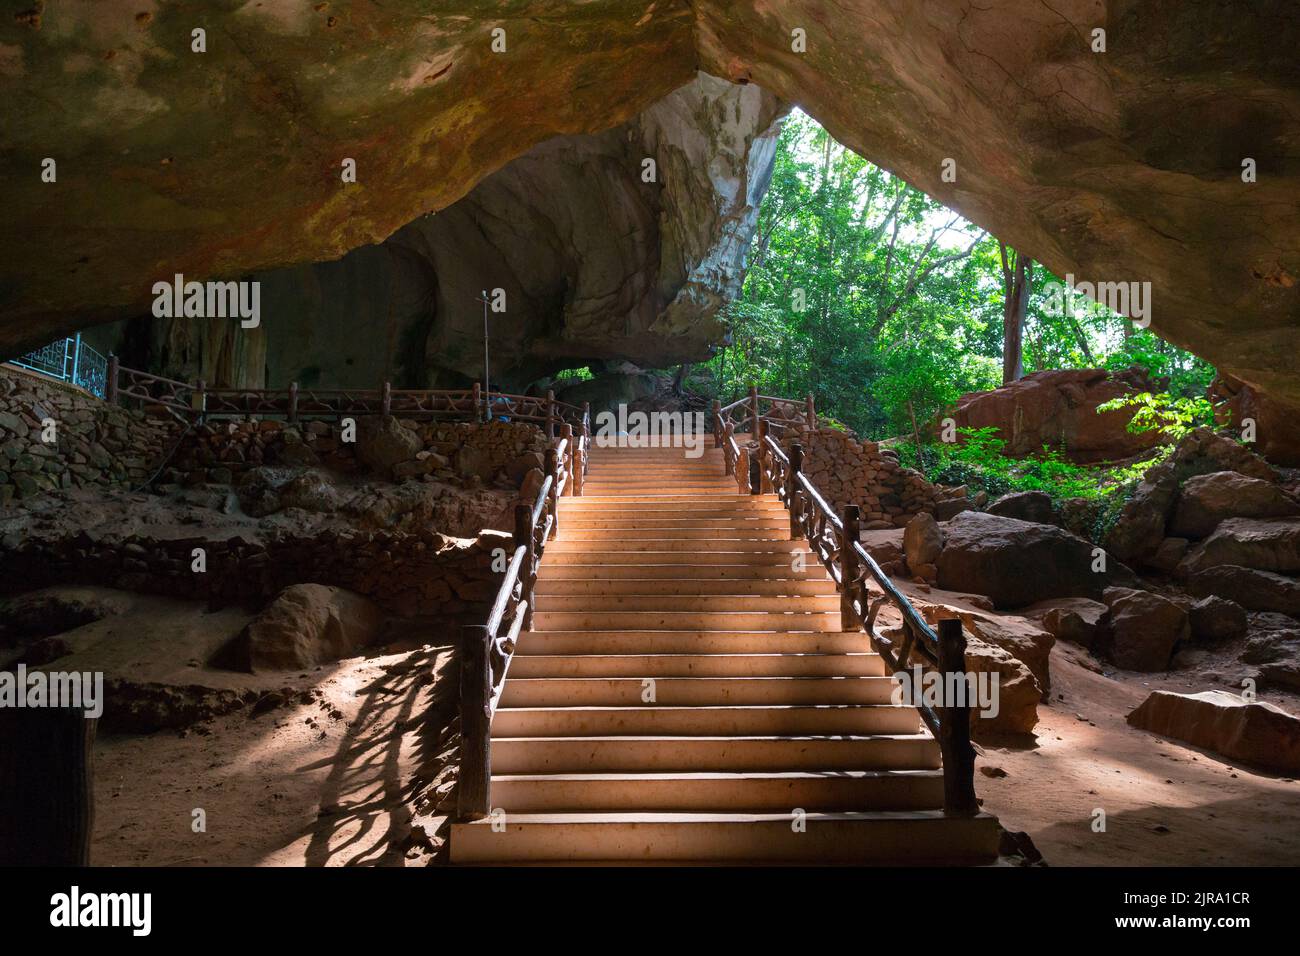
632 665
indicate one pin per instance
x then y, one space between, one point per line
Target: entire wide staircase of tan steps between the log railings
686 694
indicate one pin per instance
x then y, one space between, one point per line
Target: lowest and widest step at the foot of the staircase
876 837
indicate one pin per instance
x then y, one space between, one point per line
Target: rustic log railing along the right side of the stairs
764 466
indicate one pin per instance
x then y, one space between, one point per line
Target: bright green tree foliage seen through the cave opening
887 308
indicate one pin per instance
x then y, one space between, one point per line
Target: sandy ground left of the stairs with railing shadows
328 782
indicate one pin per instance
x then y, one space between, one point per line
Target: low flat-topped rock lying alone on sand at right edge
1253 733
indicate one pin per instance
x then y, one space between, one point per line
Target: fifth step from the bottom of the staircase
543 693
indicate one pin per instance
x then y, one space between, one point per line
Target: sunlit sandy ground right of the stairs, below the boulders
1165 803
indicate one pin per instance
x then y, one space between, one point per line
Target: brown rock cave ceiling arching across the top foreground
417 96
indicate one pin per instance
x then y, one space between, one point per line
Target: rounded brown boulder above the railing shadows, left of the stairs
309 625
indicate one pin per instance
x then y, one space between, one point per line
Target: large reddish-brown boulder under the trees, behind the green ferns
1059 410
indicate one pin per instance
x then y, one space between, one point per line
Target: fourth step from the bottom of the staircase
850 720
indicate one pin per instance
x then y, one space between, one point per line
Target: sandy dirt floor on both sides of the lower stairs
332 782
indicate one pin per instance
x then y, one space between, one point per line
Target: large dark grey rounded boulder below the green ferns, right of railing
1017 564
